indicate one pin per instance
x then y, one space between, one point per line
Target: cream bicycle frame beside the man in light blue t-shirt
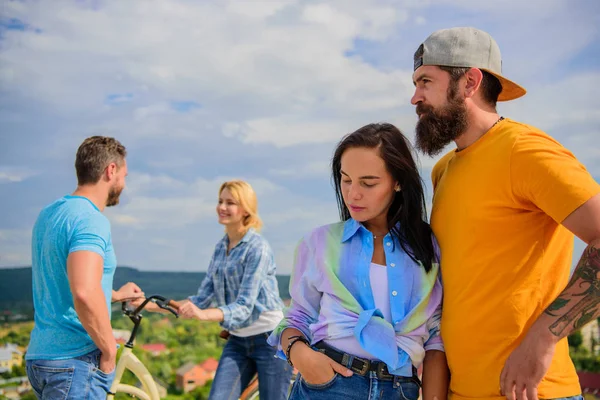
129 361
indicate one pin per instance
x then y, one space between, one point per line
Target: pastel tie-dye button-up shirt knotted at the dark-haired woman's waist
332 297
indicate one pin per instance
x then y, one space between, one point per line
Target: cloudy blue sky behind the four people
205 91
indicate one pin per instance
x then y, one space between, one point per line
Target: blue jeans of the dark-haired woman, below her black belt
357 387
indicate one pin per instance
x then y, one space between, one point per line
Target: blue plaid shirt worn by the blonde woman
241 284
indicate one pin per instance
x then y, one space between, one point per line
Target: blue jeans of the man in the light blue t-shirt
75 378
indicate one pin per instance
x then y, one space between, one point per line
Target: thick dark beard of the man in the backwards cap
438 127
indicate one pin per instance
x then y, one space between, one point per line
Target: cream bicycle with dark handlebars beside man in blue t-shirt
129 361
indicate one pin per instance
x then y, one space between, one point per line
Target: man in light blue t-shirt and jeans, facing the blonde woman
72 350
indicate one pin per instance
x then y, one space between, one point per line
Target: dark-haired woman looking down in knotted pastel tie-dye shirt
366 293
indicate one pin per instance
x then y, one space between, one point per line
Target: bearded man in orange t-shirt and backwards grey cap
507 202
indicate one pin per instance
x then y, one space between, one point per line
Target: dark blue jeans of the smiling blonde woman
244 356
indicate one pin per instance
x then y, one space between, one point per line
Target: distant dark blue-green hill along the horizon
15 285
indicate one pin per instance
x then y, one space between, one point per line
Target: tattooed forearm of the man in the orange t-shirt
579 303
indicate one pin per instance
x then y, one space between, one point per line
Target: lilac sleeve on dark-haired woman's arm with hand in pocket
306 299
